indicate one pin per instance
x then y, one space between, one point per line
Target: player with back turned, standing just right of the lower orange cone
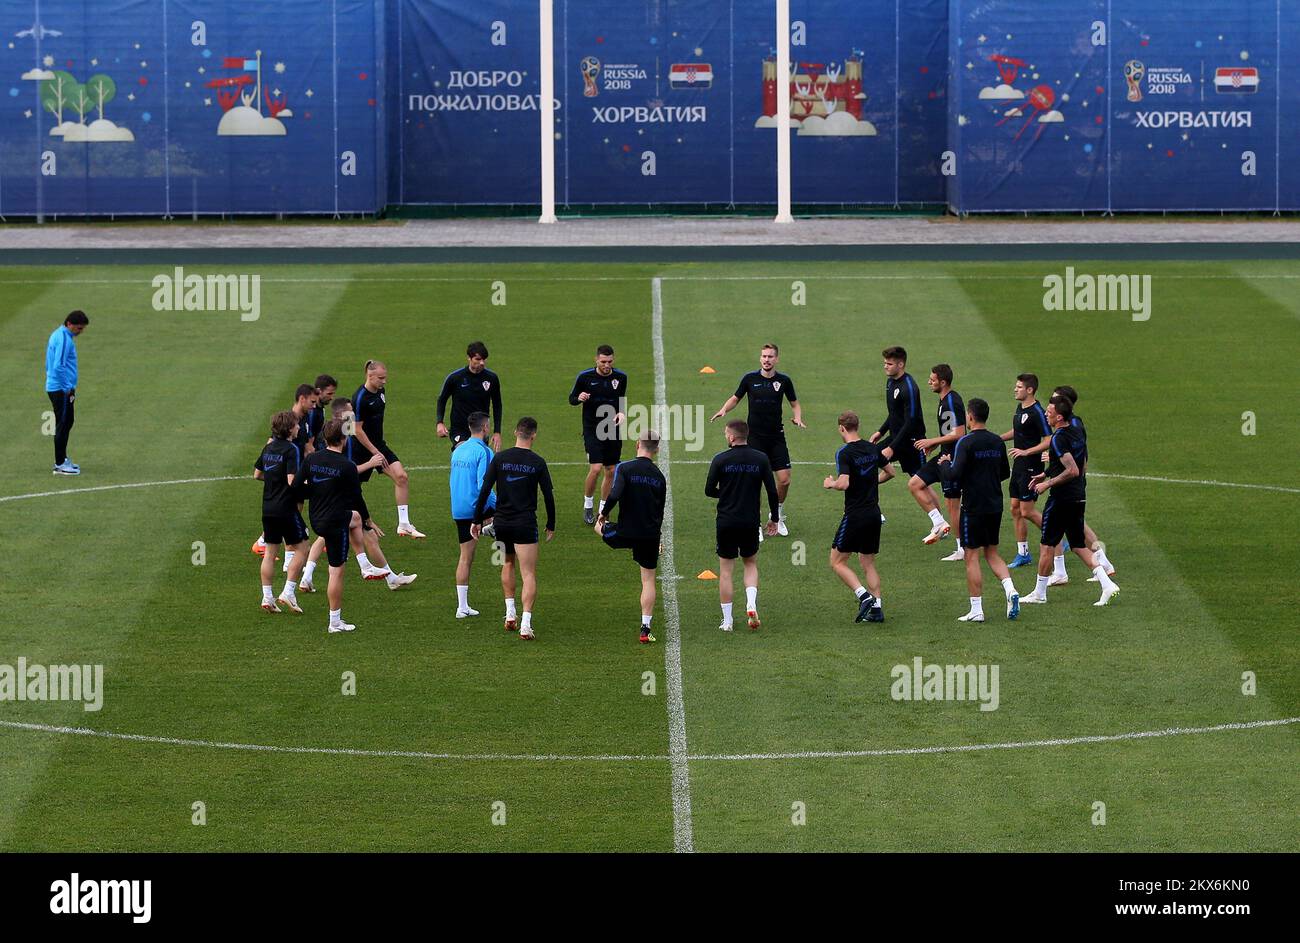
738 478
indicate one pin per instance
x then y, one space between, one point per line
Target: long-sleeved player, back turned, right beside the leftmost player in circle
333 491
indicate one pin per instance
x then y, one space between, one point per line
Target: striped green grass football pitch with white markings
1168 721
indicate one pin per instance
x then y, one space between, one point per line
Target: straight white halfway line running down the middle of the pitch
683 832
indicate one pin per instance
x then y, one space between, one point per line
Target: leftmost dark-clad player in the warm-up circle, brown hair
278 469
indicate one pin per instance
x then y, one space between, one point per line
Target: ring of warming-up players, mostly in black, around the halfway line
322 464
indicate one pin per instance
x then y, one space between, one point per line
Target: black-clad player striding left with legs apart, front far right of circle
1067 478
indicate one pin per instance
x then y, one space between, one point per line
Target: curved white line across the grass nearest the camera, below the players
638 758
